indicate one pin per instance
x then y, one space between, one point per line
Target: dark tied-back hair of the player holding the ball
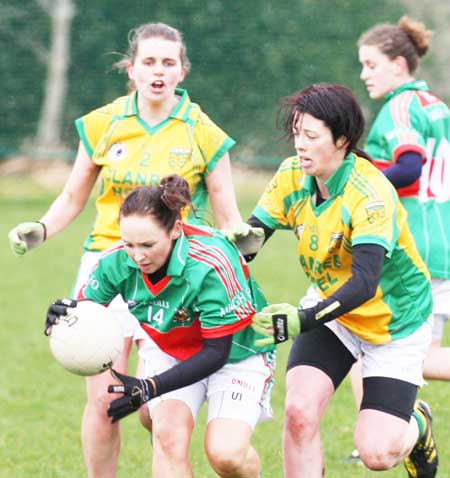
164 202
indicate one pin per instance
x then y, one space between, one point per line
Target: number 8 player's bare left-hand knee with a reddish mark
302 419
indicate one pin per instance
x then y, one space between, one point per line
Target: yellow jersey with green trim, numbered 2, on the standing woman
131 153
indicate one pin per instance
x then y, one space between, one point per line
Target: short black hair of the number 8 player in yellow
333 104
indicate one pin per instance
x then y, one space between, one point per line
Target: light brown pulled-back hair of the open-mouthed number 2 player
151 30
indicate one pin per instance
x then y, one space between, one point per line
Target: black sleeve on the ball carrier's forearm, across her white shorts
212 357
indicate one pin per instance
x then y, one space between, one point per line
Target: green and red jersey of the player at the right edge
413 119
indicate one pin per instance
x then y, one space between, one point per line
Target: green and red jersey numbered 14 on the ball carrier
207 293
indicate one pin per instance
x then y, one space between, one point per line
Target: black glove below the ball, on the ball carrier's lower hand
136 392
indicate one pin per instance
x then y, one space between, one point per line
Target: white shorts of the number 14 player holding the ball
239 390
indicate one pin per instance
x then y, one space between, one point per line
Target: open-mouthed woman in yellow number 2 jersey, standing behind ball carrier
136 140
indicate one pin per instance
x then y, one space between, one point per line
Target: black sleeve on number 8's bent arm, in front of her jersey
367 263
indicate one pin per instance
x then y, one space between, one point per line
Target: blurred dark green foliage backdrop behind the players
245 57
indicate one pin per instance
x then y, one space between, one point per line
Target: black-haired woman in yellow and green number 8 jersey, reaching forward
355 246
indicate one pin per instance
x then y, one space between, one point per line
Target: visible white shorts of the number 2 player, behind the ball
130 325
